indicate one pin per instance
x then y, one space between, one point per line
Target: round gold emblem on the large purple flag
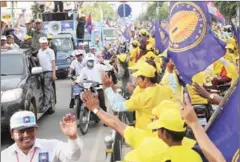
187 27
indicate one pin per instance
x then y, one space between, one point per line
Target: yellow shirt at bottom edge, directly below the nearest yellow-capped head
181 154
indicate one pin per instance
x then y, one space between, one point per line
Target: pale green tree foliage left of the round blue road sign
95 9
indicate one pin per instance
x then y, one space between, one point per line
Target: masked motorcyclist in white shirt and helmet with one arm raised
94 72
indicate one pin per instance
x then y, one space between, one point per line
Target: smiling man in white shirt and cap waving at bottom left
27 147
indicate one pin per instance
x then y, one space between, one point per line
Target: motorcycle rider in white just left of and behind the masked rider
77 65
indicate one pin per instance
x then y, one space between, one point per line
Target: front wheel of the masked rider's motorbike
84 118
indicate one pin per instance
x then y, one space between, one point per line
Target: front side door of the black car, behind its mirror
36 85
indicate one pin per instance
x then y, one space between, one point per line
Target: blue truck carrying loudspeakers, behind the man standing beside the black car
65 46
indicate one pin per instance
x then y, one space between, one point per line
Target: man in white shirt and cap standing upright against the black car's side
46 59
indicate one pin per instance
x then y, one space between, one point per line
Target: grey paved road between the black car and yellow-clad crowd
49 128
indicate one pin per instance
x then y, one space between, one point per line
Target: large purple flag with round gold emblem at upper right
192 44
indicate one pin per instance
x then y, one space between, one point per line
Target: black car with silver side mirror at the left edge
21 85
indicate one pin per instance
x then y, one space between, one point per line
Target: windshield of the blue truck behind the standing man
63 44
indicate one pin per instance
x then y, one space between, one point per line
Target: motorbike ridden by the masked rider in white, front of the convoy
84 116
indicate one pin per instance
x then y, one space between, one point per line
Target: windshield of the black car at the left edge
12 64
